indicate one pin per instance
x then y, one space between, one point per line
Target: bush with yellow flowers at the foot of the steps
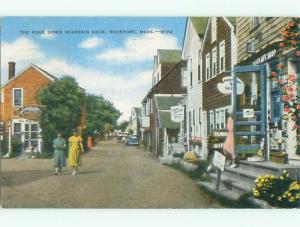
278 191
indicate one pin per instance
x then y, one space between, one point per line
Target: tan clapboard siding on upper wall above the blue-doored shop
265 33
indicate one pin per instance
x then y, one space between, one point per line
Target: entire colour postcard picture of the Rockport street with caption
150 112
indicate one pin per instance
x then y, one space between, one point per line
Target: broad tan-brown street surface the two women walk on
112 176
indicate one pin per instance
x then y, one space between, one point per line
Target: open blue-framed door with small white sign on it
249 108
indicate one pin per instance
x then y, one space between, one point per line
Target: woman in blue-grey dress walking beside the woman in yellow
59 160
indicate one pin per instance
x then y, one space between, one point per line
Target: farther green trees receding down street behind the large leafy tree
101 114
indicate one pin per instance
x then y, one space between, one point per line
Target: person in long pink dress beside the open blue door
228 147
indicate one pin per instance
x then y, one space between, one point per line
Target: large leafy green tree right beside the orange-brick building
62 101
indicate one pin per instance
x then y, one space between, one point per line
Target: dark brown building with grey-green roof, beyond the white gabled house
166 79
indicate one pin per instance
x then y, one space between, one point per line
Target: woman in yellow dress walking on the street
75 151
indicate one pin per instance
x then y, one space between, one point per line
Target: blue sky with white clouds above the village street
104 61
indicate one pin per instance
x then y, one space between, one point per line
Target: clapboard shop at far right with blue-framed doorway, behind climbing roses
259 53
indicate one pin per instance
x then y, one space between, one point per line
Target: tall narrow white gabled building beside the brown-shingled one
192 127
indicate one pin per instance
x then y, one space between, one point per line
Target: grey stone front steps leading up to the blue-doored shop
236 182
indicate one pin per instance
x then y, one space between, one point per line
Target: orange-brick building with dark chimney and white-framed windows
19 92
